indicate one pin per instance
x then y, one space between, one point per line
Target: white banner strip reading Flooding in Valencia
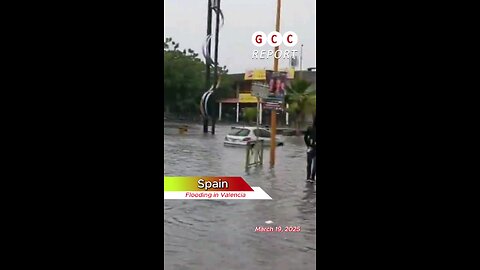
256 194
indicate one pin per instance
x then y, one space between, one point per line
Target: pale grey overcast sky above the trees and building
186 23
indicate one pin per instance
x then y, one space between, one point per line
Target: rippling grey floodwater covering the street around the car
208 234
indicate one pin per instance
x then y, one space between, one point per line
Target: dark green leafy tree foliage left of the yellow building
184 79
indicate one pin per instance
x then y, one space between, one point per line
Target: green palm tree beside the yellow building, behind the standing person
301 99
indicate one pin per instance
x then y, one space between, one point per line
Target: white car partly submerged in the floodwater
240 136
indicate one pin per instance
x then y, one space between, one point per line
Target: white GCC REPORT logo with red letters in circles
274 39
